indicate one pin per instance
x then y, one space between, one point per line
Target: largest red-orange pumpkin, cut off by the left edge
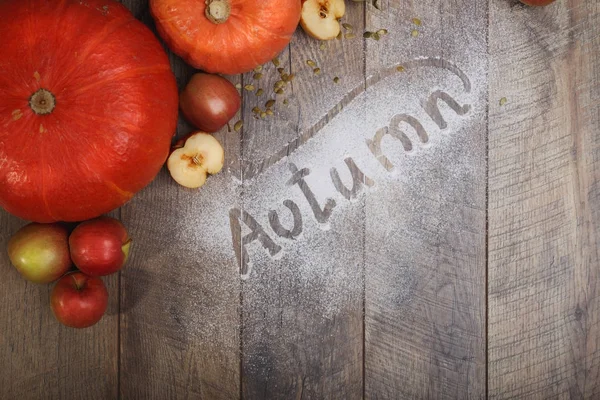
88 108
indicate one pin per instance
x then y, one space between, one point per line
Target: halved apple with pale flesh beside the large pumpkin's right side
192 161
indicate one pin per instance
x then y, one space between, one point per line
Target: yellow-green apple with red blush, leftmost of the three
40 252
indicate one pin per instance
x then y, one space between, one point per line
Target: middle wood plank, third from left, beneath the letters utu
302 296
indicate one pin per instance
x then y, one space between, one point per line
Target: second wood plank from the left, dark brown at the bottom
180 313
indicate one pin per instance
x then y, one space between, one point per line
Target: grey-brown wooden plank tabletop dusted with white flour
430 231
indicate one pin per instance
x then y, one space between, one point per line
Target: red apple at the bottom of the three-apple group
78 300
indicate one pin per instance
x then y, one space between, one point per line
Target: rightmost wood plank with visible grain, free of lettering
544 331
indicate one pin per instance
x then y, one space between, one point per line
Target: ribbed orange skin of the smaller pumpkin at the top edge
254 32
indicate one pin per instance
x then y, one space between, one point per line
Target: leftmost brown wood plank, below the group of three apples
42 359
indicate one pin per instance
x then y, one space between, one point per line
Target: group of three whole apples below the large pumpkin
44 253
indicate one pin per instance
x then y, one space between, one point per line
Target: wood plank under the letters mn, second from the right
425 245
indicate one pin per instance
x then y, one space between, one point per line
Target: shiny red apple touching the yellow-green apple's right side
100 246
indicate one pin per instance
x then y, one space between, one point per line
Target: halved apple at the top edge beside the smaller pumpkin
319 18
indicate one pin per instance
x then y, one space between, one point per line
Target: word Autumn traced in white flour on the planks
268 239
